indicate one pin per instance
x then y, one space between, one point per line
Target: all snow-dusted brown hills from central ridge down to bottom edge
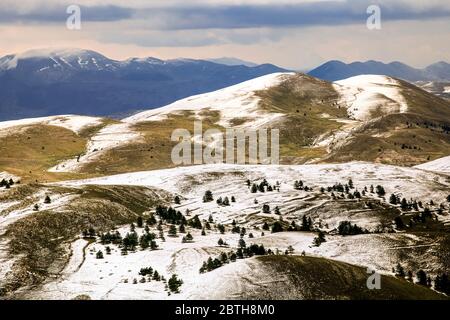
93 208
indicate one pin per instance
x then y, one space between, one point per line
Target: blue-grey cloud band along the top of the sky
220 15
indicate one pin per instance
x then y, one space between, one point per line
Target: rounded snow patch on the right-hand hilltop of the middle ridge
367 96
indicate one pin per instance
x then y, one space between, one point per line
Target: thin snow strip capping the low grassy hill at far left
71 122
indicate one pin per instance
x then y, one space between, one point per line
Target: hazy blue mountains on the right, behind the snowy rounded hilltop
337 70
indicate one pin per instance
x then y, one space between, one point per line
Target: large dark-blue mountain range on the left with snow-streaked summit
51 82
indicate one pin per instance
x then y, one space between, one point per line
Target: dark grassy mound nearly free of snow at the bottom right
295 277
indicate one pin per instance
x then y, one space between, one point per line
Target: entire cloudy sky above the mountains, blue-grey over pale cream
298 34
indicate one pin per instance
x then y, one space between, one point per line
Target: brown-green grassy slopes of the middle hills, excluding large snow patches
315 126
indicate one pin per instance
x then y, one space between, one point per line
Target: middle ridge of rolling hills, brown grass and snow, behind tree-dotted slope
366 118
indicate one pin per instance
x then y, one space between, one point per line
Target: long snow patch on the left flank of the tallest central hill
238 101
